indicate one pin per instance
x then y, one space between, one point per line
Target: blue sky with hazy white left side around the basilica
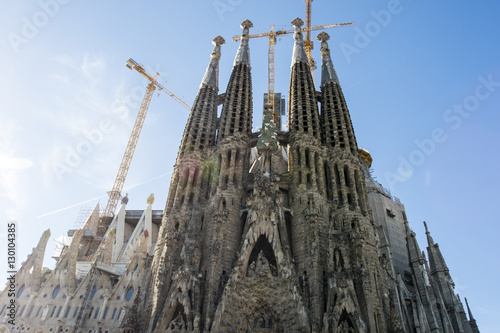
421 79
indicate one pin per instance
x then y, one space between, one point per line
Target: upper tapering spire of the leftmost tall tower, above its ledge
200 128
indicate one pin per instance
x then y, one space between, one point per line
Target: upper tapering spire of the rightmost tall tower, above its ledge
338 131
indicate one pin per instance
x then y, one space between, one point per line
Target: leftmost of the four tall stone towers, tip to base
175 295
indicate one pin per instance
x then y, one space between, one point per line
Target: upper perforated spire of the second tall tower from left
236 115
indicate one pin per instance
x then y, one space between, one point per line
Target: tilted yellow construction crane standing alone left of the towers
115 193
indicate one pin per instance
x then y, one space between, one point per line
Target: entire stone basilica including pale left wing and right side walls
262 232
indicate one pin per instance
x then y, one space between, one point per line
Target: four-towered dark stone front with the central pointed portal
277 243
